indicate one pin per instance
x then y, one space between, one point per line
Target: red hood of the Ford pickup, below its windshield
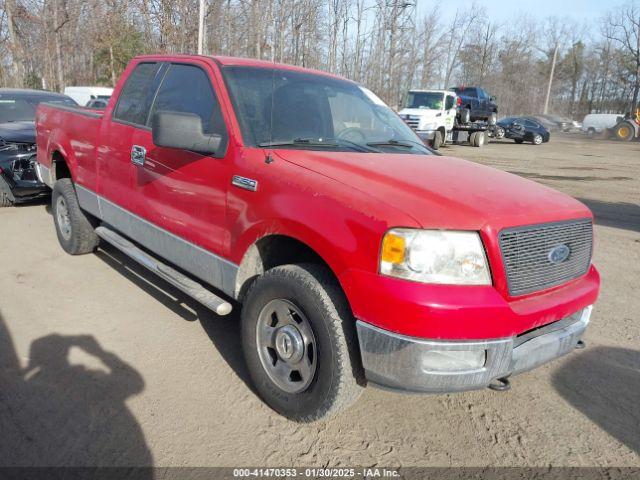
443 192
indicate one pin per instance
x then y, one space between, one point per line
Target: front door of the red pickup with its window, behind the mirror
180 192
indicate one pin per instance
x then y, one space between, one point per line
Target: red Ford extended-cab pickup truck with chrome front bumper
356 254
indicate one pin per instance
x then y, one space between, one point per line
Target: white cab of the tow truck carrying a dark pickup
431 113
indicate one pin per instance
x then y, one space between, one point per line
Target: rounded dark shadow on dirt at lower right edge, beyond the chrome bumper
604 384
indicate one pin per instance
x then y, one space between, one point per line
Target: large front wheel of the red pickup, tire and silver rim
299 342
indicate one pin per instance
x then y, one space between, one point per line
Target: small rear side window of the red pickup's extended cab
136 95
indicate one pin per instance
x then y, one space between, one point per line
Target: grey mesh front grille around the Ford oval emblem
527 253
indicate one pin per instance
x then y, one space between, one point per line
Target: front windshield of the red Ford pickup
288 109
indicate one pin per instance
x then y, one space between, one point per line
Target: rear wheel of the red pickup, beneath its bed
74 228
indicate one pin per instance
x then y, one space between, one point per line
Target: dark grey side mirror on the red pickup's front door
182 131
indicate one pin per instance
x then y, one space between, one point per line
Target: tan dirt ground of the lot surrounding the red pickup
104 364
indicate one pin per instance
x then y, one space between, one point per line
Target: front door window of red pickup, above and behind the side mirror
188 89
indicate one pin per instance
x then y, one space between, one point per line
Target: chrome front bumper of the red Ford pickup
396 361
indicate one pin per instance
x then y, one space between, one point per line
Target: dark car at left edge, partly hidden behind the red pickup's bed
18 178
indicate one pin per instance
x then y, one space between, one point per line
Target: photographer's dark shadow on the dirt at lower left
53 413
